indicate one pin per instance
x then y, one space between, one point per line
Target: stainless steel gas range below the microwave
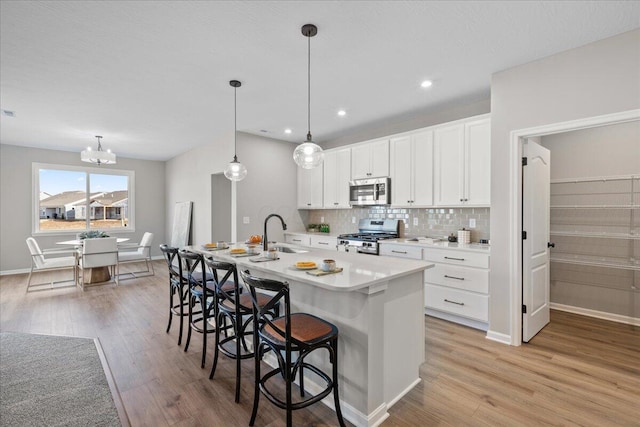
370 231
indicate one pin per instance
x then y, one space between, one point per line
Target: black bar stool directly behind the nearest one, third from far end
235 306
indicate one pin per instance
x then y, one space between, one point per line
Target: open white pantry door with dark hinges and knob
535 250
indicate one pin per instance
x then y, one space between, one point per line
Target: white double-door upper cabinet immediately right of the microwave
411 164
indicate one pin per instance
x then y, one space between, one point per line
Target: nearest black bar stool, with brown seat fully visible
294 332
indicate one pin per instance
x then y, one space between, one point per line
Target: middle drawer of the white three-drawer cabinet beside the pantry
469 279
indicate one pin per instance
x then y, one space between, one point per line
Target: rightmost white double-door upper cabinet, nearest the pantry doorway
462 164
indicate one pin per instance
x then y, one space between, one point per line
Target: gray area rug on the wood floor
53 381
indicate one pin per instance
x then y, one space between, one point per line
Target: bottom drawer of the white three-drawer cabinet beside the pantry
454 301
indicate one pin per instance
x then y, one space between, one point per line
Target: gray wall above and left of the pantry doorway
593 80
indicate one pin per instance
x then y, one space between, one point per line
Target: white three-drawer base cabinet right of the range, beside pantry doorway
457 288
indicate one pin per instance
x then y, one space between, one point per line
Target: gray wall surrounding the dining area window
16 196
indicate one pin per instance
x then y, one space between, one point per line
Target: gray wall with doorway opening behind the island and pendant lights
270 185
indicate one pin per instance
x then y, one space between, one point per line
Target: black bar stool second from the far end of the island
201 292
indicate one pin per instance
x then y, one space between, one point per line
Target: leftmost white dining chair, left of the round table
49 260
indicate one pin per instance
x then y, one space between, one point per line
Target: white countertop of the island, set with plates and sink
359 270
